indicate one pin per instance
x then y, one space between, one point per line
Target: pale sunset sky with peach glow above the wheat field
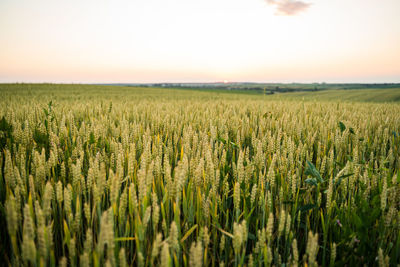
140 41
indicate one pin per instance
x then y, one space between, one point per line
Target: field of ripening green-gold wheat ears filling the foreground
124 176
